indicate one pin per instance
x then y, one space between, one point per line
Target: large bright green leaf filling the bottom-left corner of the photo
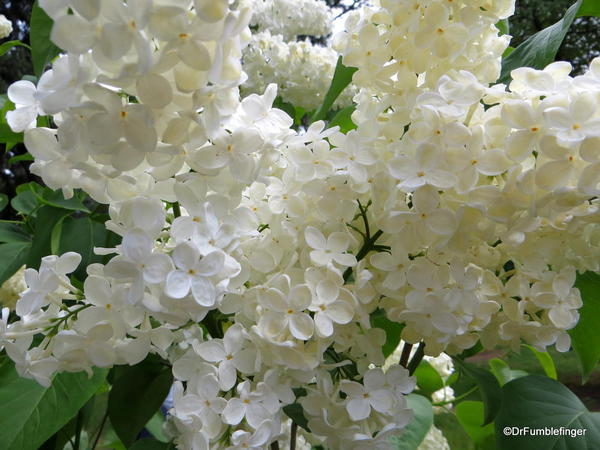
31 413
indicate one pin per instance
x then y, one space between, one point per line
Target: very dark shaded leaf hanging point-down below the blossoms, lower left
138 392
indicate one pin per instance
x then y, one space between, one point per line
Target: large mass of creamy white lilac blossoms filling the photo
253 254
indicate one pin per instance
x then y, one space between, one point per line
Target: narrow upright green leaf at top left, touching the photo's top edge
43 51
